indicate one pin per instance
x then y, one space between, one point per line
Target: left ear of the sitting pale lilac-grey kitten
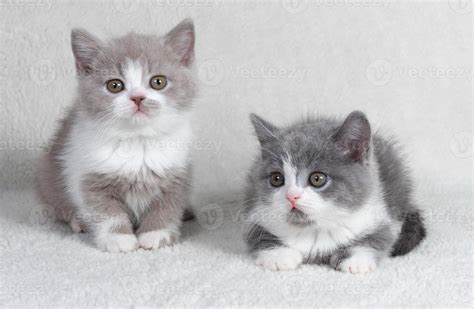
85 47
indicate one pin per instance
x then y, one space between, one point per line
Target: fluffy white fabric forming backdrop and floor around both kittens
407 65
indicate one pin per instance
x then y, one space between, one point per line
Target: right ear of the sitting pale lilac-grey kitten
181 40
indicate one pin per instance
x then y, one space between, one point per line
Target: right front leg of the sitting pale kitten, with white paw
160 226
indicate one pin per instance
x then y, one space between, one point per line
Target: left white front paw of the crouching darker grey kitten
279 259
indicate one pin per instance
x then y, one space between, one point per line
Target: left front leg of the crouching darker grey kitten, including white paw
270 251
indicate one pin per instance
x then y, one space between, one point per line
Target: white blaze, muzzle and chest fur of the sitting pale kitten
126 148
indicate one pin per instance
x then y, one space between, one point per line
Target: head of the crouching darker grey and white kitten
313 172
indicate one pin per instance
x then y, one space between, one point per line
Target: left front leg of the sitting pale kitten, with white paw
105 214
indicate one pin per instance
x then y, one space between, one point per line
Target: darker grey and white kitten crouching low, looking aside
328 192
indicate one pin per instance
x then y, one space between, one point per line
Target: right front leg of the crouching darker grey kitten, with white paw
365 253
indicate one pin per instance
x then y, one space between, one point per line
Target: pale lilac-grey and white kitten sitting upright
118 166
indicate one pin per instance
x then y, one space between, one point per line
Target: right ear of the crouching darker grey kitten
353 137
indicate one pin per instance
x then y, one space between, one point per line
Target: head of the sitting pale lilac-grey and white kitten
136 79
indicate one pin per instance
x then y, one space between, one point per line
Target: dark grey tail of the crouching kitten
412 233
